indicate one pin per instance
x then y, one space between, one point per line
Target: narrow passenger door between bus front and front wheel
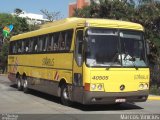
77 67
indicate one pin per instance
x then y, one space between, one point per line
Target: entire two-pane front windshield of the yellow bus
112 47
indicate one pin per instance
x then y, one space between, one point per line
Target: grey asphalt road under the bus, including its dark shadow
13 101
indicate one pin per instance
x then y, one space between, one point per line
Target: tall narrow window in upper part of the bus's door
79 47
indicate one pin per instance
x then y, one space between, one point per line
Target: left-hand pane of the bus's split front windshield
102 47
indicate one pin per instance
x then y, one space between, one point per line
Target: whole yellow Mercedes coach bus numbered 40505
89 61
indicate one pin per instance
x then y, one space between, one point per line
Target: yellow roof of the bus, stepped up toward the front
71 23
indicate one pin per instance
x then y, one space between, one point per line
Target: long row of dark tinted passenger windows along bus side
54 42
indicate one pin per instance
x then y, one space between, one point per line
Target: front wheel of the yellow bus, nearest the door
64 96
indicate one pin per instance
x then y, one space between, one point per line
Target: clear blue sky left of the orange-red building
34 6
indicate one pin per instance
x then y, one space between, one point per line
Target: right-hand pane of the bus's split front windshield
132 48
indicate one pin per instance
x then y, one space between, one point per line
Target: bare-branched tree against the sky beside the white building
51 16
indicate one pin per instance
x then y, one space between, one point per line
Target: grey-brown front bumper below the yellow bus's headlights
110 98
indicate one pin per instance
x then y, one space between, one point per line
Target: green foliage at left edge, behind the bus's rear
20 26
